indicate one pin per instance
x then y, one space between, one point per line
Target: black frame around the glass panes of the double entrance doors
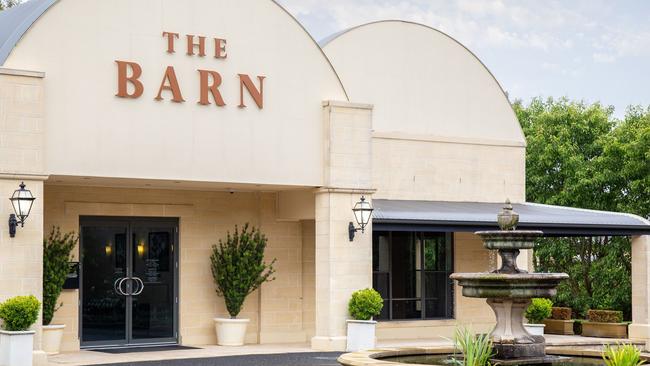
129 222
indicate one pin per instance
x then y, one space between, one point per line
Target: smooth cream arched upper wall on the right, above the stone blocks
422 82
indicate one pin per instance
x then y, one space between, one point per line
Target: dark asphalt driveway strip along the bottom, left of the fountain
286 359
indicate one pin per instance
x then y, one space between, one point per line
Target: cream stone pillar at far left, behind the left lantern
21 159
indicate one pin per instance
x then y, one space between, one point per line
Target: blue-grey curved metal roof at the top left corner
15 22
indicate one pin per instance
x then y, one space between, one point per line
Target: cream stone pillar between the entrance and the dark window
341 266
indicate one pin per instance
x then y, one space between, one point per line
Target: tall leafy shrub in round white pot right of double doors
238 268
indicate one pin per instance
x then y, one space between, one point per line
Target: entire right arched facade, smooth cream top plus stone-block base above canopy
442 127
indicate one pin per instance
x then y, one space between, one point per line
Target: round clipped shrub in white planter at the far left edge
16 340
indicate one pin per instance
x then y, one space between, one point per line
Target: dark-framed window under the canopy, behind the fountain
411 272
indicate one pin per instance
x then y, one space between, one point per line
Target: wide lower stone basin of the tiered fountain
509 285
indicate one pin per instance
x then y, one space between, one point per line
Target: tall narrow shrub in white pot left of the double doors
56 265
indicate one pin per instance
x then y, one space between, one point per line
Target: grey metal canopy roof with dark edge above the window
474 216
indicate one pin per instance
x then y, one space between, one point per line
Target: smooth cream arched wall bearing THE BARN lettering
91 132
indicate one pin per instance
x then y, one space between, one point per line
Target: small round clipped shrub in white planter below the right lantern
363 306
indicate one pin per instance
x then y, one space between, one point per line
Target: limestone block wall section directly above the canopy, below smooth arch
421 168
